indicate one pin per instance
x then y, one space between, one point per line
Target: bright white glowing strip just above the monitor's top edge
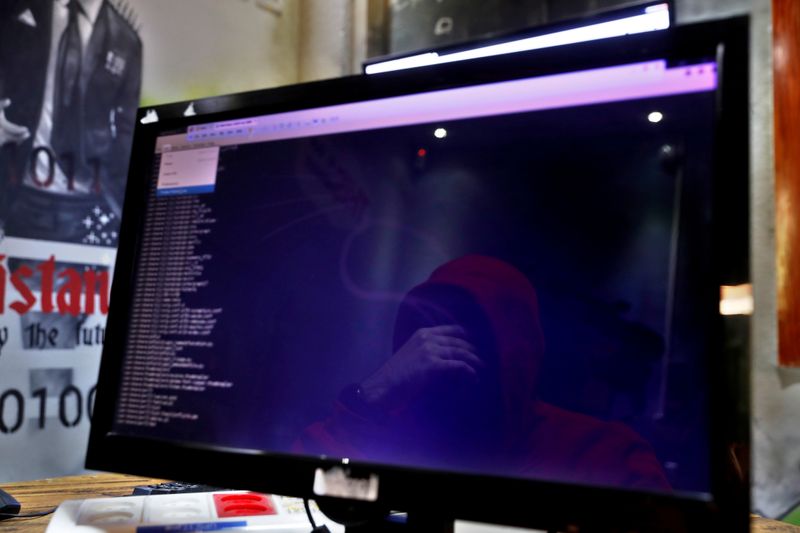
655 18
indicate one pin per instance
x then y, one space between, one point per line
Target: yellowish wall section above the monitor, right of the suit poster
216 47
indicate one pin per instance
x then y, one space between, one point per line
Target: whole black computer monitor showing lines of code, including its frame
487 290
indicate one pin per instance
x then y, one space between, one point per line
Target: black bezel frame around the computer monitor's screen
446 495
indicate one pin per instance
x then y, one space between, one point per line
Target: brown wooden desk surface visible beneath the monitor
45 494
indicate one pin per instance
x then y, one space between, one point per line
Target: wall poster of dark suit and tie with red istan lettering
70 76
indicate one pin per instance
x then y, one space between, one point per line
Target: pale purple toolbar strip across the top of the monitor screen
610 84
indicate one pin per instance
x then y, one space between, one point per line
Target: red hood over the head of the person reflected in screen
491 296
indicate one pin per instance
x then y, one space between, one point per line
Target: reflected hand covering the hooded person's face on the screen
428 355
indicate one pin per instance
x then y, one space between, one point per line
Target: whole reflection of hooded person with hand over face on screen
460 392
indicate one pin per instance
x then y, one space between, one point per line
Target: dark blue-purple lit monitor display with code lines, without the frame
496 279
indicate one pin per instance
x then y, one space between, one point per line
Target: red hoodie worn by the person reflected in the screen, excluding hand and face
525 436
